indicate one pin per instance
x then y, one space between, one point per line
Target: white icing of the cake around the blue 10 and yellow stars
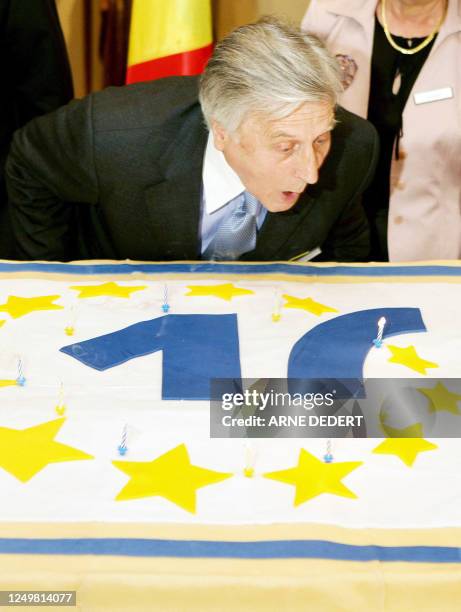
99 404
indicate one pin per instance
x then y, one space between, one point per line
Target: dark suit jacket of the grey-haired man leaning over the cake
118 175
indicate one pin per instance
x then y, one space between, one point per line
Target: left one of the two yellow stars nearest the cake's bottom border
171 476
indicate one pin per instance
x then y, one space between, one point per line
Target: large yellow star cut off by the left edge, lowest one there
24 452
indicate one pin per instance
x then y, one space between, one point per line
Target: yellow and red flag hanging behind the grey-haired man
168 37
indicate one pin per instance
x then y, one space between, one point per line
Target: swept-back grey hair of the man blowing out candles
268 66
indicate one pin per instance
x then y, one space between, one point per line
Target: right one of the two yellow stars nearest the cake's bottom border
312 477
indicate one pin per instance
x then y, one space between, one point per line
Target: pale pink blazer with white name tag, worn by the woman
425 203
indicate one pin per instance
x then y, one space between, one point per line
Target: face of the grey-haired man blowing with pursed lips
277 158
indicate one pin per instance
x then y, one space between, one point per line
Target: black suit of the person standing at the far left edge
35 77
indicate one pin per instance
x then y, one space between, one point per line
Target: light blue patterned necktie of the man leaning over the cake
237 233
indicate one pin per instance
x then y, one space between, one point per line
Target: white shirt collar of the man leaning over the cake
220 183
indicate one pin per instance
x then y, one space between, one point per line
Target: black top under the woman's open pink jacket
393 75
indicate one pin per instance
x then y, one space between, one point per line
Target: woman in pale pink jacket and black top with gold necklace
401 62
